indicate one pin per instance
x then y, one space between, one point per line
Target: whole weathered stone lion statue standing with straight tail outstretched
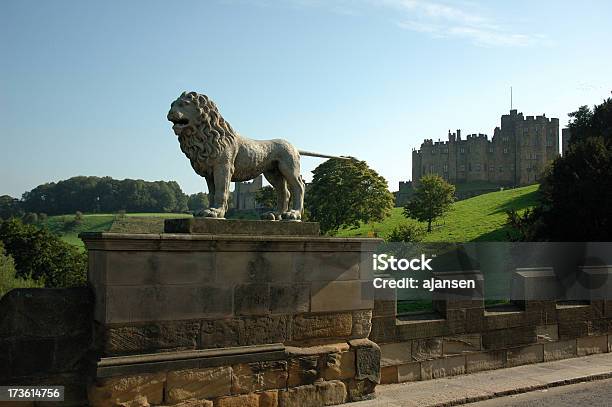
221 156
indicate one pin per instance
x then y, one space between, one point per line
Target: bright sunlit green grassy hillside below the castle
479 218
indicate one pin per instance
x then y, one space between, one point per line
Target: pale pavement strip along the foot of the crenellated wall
495 383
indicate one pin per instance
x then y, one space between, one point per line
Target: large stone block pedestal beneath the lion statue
235 318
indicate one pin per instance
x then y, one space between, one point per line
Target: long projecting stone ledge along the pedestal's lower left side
192 359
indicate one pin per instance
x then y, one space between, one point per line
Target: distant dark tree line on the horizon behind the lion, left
101 195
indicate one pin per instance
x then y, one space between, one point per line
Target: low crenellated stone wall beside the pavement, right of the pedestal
465 336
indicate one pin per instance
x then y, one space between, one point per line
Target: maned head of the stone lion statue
201 130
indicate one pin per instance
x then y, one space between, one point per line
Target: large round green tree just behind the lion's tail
346 193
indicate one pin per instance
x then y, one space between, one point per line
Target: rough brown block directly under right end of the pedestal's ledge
258 376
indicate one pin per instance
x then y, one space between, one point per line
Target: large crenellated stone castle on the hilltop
516 155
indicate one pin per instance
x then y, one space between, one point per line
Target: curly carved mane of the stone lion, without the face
210 136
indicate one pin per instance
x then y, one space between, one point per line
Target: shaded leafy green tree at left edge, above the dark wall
42 256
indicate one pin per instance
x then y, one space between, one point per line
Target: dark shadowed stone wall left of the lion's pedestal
46 338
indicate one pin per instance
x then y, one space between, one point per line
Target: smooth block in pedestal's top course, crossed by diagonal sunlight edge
326 266
